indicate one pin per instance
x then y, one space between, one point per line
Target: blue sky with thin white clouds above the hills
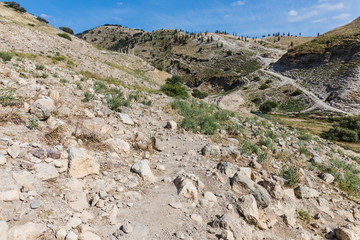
245 17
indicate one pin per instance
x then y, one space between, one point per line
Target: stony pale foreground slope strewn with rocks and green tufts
91 150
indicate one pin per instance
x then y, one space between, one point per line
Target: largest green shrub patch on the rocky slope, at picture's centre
202 117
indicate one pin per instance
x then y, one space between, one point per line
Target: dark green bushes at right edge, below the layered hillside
345 129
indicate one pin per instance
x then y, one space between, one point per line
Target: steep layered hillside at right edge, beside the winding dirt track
329 66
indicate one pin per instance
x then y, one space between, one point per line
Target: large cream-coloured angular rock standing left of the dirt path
81 163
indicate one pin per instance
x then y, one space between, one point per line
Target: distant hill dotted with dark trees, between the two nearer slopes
212 61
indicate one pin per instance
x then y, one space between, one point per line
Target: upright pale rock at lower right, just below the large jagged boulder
247 207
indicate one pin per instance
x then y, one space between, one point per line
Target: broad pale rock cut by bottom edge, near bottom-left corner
28 231
